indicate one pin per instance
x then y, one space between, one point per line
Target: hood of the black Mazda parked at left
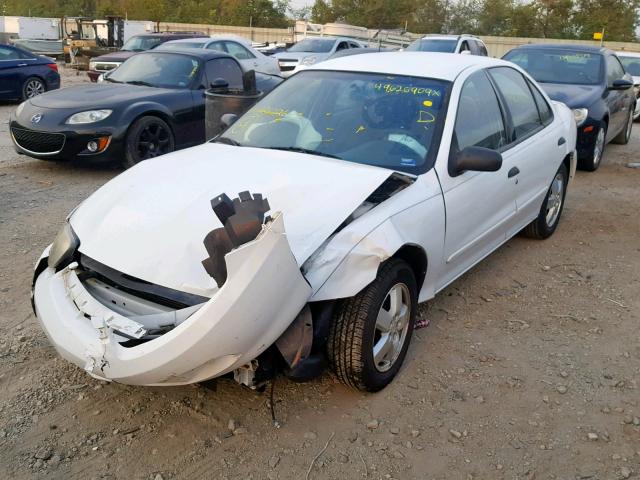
101 95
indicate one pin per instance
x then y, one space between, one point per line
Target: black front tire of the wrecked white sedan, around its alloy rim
353 332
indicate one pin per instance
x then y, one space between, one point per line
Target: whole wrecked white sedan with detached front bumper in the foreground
364 186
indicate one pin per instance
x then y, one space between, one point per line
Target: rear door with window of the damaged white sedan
535 151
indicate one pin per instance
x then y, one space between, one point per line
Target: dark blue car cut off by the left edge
24 75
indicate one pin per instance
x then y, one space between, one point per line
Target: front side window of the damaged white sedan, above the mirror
479 120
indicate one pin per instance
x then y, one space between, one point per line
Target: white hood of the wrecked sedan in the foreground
150 221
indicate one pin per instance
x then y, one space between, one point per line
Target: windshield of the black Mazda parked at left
163 70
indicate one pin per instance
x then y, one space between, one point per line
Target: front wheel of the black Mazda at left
148 137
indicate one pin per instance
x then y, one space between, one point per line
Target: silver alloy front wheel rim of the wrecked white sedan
392 325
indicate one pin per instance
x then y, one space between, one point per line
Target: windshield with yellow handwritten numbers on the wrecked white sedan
374 119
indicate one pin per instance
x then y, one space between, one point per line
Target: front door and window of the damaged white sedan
479 205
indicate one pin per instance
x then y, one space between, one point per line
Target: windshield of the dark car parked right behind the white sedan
559 66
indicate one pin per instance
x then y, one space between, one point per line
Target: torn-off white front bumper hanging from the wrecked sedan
262 295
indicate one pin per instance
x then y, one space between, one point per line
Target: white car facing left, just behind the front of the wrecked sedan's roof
311 51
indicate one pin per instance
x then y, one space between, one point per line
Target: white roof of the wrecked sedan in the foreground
443 66
